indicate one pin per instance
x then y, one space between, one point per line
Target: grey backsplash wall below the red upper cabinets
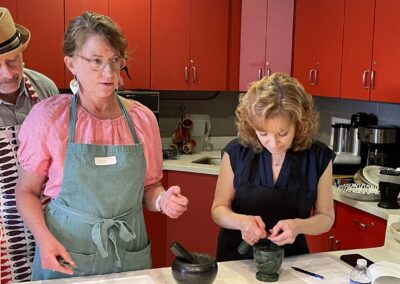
221 108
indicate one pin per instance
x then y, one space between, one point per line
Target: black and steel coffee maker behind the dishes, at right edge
379 145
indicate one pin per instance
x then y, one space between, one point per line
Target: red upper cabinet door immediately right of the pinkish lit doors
305 43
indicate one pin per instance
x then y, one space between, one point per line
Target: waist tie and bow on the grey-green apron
101 226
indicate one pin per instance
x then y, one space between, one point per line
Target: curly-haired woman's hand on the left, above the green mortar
253 229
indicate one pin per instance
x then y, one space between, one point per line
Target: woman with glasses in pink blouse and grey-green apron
101 157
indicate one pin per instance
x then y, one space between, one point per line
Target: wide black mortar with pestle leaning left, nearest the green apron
194 268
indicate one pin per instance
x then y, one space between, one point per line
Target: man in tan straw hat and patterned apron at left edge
20 89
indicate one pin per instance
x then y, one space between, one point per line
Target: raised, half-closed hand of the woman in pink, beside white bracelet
173 203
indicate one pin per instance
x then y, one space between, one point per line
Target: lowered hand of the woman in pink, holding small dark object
49 250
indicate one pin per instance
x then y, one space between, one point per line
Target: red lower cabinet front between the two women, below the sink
195 229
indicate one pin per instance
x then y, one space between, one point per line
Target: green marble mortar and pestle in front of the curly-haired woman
268 257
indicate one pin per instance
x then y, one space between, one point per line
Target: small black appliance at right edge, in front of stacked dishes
389 188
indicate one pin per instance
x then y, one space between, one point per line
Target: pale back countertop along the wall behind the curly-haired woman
184 164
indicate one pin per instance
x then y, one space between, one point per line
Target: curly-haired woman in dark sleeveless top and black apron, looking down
273 175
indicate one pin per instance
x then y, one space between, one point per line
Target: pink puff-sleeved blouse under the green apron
43 138
